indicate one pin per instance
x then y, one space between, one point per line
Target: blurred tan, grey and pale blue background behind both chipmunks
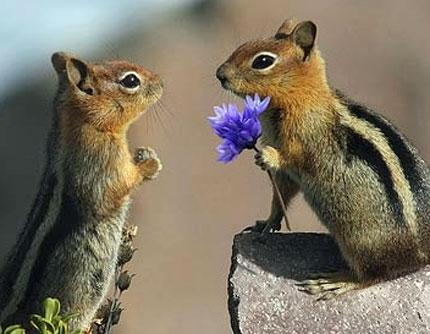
375 51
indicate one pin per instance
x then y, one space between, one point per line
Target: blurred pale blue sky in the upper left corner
30 31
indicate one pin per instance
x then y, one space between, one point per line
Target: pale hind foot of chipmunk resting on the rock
329 285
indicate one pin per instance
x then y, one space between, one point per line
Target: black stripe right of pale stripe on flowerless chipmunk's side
67 222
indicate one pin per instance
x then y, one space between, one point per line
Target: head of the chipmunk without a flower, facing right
108 95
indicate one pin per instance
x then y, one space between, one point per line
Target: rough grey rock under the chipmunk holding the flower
263 297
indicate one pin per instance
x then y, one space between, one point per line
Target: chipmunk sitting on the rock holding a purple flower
361 176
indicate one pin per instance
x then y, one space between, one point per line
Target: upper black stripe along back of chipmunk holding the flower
396 143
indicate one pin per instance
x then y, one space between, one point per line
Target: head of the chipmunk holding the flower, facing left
280 65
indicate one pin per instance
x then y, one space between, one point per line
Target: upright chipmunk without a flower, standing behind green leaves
68 247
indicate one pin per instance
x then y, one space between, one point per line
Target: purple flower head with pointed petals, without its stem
239 130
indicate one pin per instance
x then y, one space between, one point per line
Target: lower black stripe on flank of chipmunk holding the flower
362 149
